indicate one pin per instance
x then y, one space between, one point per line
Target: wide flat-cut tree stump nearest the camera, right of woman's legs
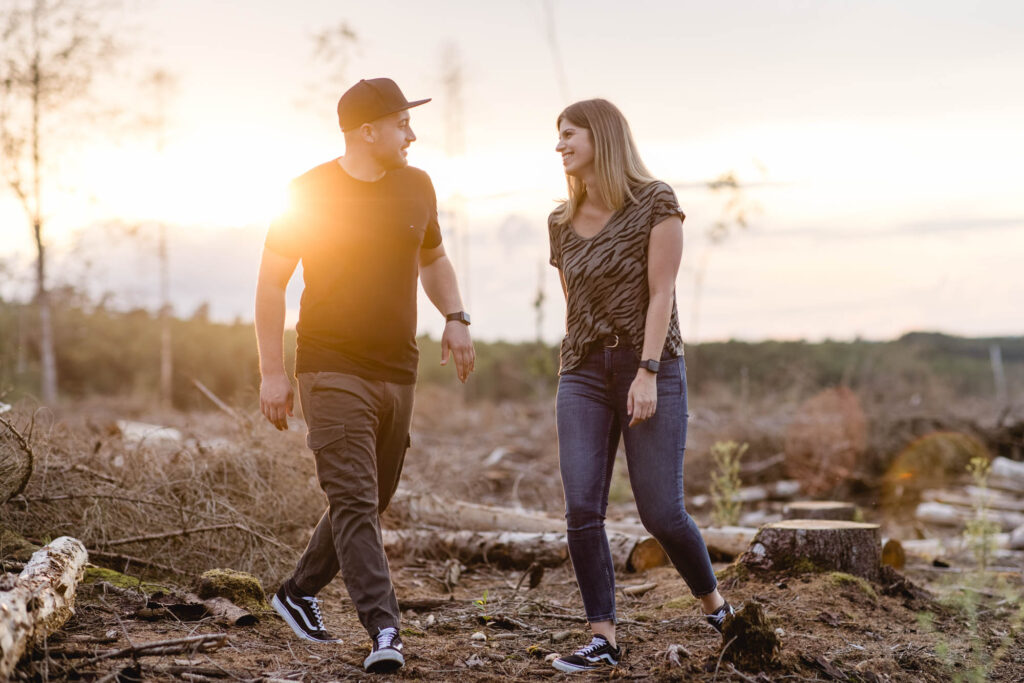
817 545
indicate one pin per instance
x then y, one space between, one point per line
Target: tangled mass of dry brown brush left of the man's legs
245 500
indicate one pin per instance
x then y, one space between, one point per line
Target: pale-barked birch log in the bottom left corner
41 600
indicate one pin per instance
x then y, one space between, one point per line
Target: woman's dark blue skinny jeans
591 416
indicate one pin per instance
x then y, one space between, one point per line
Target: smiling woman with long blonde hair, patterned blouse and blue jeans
618 242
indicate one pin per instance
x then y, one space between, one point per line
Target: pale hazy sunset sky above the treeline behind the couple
882 145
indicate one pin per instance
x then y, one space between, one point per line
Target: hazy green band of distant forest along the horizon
104 353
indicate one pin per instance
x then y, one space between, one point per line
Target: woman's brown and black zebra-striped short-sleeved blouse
607 276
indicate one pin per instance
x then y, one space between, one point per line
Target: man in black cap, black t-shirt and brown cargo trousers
365 227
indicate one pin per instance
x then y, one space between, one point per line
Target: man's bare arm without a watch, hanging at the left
276 394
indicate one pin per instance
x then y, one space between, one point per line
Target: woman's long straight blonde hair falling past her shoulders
617 161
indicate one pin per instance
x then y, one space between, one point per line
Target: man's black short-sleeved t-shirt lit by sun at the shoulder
360 245
